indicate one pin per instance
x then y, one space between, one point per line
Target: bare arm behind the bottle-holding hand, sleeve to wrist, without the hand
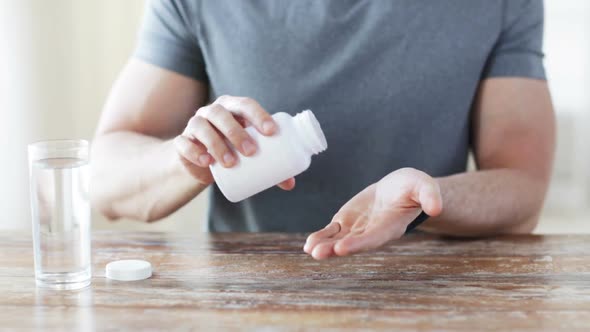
137 172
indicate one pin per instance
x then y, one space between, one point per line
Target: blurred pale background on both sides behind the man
60 57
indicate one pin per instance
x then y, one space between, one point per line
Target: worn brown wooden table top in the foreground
265 281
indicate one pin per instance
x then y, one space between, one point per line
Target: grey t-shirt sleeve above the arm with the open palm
518 51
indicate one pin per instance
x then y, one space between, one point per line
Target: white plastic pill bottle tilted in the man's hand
279 157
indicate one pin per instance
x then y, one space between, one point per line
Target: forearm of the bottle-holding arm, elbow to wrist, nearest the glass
139 177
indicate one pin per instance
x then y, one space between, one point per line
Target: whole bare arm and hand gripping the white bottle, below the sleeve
156 140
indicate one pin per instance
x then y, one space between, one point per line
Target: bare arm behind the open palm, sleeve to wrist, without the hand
513 128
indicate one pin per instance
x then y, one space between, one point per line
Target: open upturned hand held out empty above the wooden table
378 214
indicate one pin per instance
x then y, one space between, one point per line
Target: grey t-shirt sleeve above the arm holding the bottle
167 38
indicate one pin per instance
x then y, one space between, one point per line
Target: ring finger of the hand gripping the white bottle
200 129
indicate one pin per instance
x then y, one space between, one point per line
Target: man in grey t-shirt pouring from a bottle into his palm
403 90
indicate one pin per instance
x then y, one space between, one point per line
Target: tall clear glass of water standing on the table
59 177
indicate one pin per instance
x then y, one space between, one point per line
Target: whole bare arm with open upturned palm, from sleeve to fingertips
513 141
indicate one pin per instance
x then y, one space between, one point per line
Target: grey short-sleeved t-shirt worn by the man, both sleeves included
391 82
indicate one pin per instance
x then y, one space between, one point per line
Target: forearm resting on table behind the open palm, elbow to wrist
488 202
